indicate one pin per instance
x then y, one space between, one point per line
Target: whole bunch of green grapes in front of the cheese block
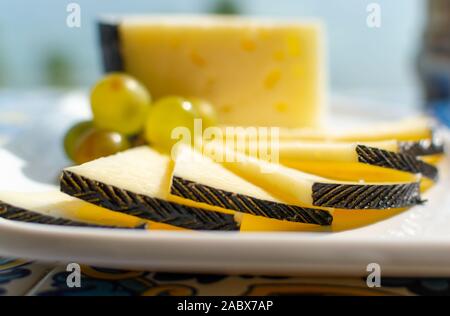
124 117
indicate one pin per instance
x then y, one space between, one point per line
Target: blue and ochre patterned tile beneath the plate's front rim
111 282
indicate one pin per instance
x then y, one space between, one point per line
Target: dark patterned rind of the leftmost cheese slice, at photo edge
11 212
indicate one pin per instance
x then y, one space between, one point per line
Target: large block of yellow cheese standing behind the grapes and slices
256 72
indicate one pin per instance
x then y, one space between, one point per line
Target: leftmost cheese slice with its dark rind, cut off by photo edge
57 208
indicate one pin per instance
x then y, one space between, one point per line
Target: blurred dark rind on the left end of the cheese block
110 45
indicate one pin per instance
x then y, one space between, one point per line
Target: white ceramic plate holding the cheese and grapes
413 243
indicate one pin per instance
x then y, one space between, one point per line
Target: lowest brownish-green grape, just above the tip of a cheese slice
99 143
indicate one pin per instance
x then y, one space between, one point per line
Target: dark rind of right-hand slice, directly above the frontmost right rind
398 161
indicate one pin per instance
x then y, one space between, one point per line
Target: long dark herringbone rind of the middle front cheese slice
246 204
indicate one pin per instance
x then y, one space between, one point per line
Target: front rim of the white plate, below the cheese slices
180 251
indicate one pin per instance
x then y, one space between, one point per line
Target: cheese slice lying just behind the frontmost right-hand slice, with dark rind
310 156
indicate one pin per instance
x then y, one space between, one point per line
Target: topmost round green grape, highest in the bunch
120 103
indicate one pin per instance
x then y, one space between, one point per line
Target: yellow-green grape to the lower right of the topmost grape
165 115
